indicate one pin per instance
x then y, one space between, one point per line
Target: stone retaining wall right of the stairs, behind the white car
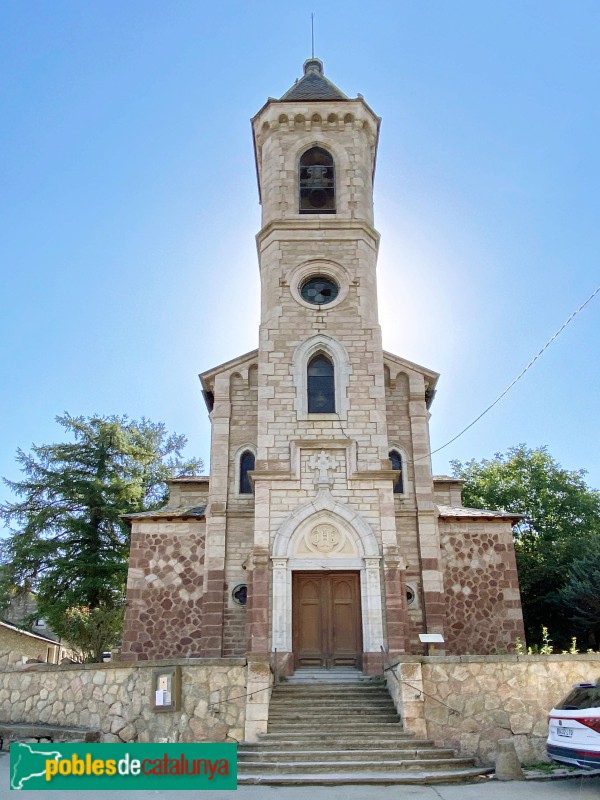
470 702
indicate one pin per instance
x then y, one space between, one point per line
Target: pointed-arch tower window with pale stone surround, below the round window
321 365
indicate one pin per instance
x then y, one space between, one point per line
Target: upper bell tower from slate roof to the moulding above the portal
315 156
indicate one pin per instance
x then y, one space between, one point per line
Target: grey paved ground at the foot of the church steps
587 788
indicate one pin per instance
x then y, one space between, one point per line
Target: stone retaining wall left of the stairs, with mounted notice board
116 698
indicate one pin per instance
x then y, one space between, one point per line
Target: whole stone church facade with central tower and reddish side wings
321 537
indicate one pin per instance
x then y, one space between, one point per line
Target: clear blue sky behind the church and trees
128 205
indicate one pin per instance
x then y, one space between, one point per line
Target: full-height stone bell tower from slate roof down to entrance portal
322 446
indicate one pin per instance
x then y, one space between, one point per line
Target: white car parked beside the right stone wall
574 735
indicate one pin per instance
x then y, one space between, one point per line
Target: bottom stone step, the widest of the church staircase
364 778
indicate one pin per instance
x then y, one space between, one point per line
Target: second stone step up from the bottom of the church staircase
359 765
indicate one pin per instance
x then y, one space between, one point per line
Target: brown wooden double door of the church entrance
327 630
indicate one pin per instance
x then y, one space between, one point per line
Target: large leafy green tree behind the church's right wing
561 516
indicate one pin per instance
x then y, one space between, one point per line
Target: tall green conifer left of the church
68 542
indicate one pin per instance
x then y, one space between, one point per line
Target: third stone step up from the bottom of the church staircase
317 754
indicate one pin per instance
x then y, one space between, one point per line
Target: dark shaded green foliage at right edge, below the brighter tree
581 594
